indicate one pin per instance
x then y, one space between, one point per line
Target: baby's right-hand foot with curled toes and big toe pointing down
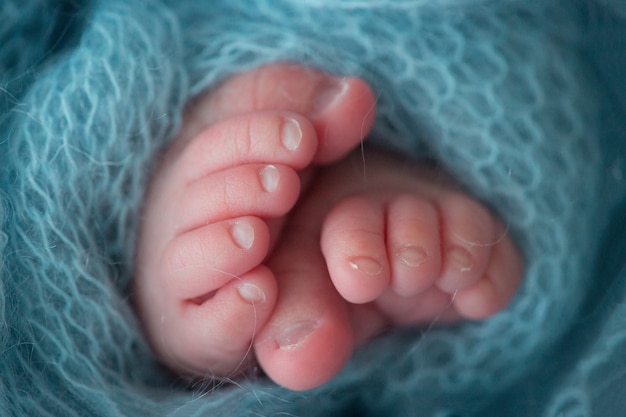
403 246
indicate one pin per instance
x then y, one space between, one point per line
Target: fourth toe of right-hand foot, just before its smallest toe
468 235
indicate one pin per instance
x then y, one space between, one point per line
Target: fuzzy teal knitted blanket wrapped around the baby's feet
523 101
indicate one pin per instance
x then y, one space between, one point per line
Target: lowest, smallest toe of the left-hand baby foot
214 337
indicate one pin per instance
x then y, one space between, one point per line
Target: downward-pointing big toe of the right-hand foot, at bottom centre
309 337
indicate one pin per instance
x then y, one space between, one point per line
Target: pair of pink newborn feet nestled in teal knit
266 237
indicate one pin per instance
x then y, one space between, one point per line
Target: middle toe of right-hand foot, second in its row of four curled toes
413 244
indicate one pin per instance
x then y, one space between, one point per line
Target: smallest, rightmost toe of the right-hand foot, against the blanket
497 286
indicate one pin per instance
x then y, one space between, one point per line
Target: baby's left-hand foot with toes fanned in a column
216 204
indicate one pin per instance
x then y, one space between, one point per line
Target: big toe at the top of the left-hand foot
342 109
